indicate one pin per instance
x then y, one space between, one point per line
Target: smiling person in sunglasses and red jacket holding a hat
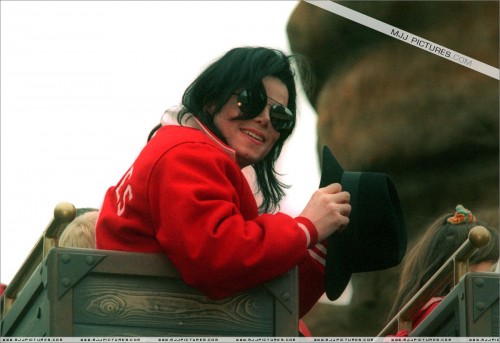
187 196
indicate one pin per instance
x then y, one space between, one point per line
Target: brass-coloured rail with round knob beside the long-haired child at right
449 274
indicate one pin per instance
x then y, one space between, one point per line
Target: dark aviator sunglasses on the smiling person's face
252 102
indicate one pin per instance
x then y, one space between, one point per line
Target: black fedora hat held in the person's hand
375 238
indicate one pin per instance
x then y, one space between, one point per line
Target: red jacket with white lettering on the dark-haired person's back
186 196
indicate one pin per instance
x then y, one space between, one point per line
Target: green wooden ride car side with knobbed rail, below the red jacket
65 292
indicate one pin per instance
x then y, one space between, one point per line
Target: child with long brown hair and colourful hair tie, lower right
432 250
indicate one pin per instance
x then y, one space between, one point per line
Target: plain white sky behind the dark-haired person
83 83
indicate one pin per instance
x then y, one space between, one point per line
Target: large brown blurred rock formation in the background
385 105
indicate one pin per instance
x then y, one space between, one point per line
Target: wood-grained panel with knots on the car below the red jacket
170 304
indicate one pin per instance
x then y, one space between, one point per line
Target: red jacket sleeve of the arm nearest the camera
208 226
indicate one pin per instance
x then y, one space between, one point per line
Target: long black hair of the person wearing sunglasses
244 68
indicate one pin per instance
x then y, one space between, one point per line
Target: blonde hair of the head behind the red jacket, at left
80 233
